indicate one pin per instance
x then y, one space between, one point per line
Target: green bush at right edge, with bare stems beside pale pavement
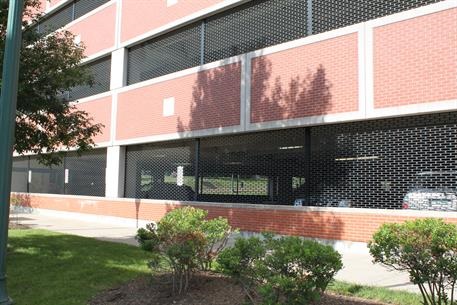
427 249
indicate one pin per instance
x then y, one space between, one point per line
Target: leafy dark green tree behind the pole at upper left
46 122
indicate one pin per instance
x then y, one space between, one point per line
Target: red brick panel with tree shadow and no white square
315 79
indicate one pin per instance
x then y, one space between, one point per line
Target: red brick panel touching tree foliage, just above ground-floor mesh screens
100 111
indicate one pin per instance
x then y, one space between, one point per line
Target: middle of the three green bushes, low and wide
288 270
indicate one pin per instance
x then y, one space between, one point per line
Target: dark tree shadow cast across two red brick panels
274 97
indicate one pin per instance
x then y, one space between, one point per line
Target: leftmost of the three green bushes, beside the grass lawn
186 240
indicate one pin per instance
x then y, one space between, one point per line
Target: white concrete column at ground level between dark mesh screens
115 172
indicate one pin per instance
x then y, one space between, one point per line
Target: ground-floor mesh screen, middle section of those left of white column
44 179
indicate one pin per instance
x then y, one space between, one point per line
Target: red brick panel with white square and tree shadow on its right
206 99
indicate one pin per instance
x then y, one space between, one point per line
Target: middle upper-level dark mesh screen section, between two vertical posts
253 26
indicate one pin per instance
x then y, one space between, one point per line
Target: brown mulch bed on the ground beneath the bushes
206 289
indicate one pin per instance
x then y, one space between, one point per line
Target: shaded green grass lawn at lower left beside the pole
58 269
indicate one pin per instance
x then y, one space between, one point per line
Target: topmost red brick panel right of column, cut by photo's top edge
139 17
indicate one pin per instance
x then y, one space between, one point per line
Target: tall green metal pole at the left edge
8 101
